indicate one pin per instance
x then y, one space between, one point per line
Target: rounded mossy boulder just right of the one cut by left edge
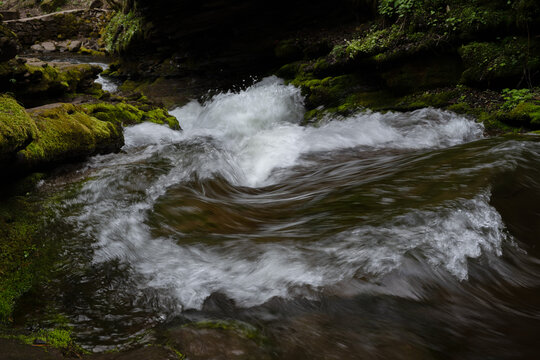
66 133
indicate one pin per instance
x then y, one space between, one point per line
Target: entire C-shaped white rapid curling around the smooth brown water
253 140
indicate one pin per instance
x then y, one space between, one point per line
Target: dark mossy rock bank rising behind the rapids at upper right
472 57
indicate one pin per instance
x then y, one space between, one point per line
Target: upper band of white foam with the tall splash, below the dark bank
258 128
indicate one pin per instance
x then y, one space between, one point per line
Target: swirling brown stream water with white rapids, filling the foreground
397 235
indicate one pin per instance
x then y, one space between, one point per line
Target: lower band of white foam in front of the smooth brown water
252 273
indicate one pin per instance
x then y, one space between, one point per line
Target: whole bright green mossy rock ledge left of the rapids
59 133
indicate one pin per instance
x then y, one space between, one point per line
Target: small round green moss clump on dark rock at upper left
121 30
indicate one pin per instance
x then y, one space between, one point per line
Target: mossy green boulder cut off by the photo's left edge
17 129
